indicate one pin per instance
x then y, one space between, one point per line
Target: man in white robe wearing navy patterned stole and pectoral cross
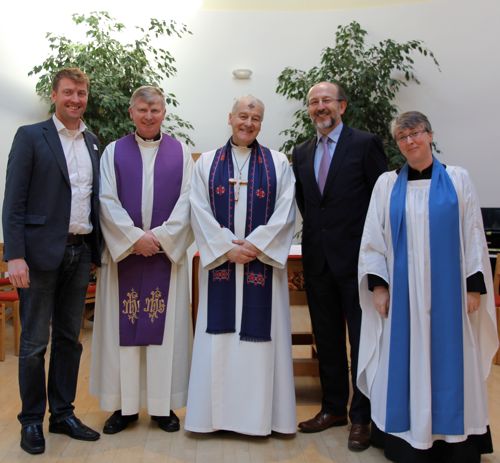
243 217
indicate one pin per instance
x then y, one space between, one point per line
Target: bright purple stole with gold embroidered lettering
144 281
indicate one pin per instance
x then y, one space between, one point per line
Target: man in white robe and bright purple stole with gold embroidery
142 339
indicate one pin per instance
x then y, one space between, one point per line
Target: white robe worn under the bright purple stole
155 377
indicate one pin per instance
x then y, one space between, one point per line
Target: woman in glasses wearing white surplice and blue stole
422 207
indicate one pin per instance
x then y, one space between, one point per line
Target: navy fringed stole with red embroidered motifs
258 277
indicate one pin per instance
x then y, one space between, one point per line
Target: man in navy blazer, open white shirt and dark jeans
51 233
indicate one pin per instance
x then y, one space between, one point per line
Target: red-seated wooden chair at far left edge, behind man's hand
9 309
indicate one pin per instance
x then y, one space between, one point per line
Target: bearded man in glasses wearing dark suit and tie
335 173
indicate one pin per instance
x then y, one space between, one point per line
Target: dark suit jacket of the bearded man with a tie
333 222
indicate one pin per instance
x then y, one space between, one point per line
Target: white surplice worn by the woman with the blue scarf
479 329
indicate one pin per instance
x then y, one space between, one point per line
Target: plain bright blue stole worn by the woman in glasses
447 375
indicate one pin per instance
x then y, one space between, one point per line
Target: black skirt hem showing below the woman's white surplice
398 450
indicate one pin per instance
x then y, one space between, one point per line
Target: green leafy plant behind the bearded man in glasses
371 76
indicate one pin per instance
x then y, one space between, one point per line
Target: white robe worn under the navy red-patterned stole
246 387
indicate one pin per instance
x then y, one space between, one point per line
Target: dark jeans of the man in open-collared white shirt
52 307
